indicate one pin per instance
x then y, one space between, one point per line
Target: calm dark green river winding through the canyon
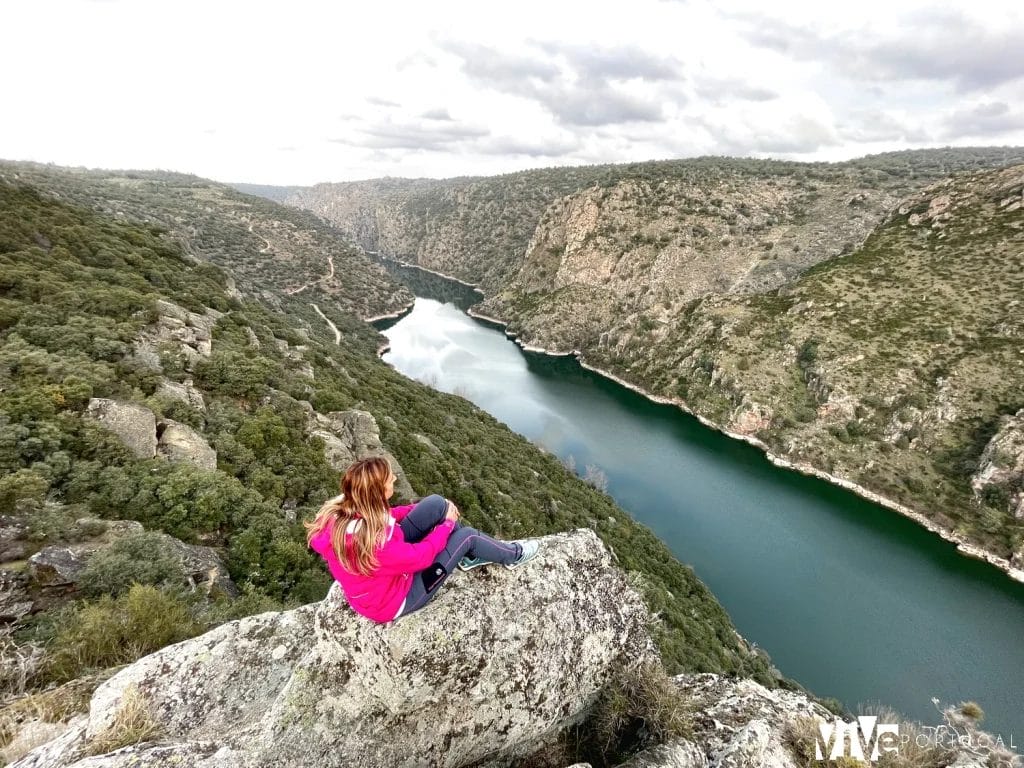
851 600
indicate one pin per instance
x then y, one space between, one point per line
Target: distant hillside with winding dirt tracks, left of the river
272 252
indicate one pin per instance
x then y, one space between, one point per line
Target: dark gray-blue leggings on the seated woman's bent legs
464 541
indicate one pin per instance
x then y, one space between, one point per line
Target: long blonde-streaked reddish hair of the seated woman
363 498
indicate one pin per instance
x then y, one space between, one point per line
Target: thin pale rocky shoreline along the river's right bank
963 547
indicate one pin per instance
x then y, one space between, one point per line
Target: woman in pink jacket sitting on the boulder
392 561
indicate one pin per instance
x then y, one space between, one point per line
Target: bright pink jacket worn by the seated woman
382 595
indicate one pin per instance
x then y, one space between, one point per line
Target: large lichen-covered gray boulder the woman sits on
495 668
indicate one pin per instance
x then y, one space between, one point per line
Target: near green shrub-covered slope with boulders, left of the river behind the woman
103 319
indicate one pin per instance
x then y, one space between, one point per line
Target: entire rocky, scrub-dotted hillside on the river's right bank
852 318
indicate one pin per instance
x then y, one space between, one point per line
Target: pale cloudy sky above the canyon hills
298 93
